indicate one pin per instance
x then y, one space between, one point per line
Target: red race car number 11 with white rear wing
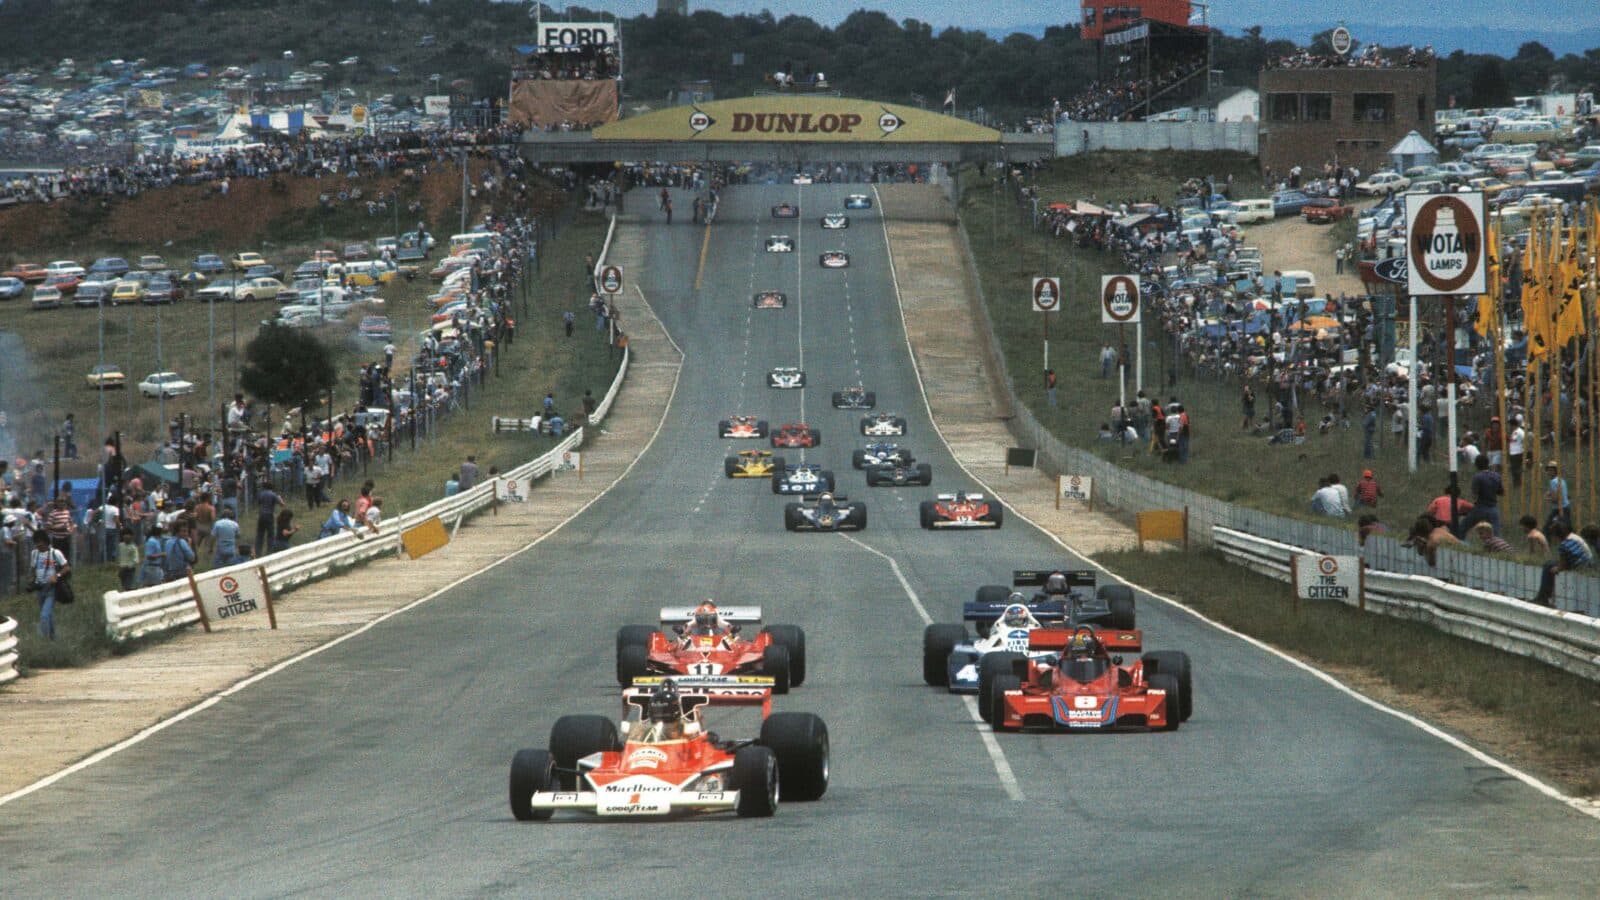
706 640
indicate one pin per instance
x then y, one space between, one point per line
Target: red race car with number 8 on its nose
1087 686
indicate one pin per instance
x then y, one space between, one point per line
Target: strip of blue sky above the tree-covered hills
1553 15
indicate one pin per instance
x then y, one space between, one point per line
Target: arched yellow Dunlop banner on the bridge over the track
798 119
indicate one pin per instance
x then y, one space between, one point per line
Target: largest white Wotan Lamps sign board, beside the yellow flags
1447 244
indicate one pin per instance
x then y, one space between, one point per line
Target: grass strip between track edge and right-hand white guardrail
1521 710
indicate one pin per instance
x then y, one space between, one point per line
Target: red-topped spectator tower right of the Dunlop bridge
1151 55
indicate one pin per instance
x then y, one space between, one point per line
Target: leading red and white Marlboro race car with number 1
663 760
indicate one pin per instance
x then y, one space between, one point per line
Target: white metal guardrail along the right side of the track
1564 640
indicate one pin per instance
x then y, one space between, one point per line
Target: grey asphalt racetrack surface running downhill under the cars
380 768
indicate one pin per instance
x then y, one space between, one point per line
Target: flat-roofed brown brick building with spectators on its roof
1350 115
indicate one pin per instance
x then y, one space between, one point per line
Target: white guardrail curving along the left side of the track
162 608
